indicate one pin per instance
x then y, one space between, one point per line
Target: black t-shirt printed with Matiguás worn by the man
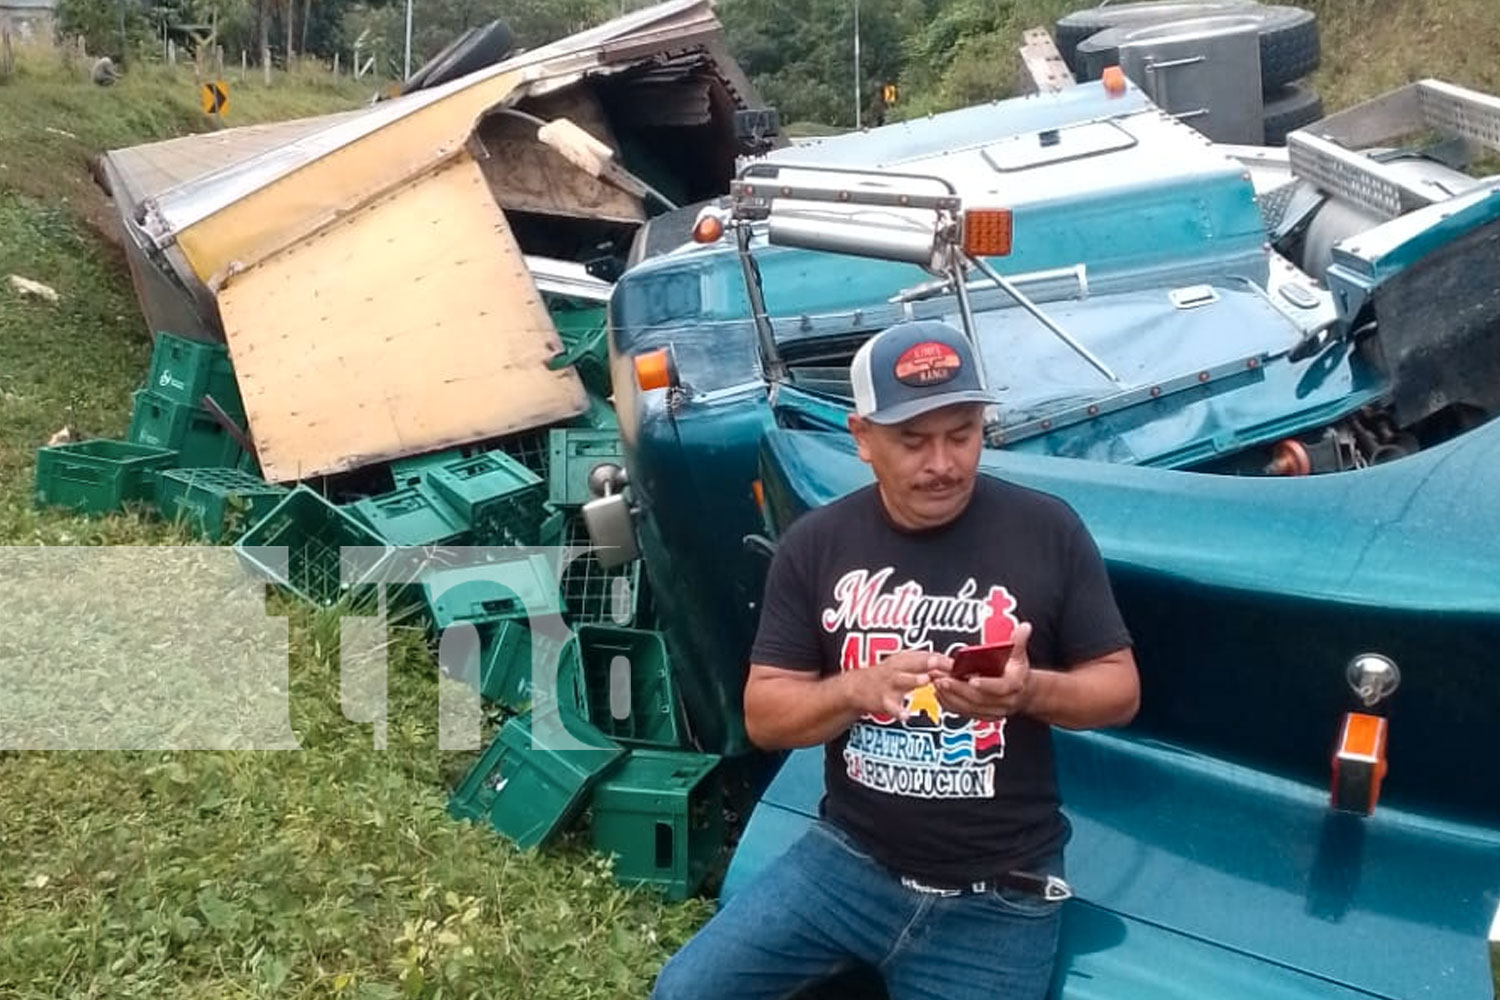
943 798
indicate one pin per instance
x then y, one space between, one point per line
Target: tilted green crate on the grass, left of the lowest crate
533 792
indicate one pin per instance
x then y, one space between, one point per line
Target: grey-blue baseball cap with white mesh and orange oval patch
913 368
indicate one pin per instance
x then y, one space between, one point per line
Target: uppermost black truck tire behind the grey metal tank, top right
1289 43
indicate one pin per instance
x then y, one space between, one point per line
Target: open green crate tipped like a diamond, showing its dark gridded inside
314 533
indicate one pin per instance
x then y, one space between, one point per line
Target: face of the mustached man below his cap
926 467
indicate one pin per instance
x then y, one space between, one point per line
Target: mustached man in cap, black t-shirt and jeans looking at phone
938 857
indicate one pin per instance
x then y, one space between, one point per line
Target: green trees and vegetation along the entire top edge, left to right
940 53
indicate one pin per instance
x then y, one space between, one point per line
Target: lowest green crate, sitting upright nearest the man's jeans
661 815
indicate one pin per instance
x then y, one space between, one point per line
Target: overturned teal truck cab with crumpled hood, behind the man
1265 379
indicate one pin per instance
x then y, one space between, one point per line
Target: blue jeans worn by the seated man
826 906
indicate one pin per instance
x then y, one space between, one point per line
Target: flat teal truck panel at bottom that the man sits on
1181 894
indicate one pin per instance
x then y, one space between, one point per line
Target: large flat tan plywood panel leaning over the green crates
410 326
